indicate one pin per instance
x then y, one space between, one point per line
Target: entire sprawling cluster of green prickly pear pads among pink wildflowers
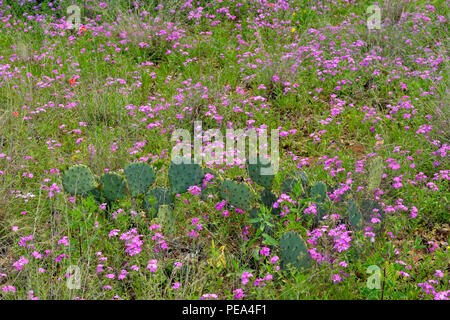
158 202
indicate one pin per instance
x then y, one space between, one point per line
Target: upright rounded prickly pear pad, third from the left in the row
140 176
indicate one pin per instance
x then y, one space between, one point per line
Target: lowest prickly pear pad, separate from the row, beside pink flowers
294 251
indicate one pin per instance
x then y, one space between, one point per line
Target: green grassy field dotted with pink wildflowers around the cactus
362 113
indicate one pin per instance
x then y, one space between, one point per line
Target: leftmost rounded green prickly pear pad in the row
78 179
